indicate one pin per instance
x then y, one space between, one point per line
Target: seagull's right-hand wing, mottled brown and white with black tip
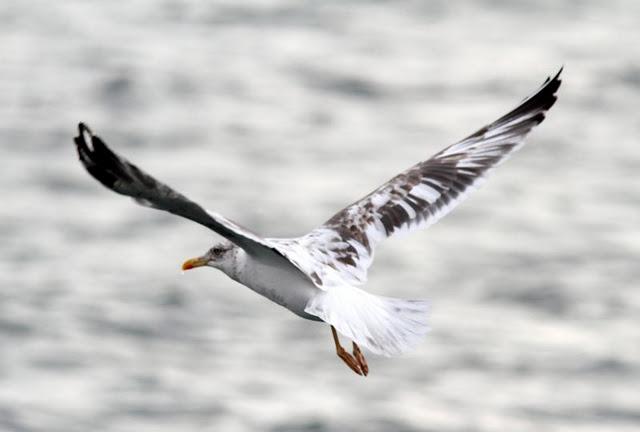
421 195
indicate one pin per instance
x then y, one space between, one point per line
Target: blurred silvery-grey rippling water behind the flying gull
277 114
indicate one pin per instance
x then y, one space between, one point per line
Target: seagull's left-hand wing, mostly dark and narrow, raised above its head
123 177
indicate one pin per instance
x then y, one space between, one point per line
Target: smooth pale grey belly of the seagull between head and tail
281 283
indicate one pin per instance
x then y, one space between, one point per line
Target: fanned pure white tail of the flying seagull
384 325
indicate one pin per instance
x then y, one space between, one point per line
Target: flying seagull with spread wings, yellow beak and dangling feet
319 275
